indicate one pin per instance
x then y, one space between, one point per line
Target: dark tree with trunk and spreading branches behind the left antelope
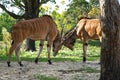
29 9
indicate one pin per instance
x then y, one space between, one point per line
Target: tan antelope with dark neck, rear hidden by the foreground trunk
86 29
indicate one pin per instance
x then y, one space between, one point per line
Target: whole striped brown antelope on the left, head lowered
43 29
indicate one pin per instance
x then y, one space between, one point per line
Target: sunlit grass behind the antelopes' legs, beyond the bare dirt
93 53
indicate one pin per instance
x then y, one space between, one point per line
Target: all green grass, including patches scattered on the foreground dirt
93 54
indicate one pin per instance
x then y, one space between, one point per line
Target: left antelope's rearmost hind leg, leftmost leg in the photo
12 48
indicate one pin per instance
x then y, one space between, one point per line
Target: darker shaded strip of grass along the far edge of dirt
57 59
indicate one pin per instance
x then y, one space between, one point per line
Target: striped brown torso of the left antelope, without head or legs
36 29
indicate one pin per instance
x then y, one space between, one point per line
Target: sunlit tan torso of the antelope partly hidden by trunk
89 28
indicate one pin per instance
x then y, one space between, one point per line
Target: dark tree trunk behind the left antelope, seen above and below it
31 11
